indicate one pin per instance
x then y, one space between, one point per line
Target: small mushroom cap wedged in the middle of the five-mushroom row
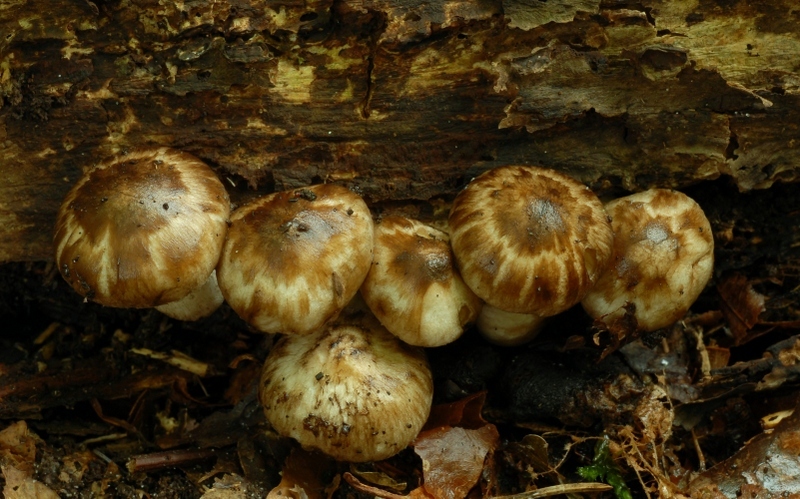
413 287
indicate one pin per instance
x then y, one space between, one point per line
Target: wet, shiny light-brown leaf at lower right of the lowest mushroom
453 458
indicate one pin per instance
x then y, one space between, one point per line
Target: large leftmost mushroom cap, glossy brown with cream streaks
142 229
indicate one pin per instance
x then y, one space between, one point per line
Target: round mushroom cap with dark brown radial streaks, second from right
529 240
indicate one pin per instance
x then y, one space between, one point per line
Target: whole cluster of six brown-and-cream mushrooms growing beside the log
153 228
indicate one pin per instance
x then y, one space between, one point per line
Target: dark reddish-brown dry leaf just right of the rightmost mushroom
741 305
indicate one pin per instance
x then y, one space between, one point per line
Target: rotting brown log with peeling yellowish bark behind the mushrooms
398 99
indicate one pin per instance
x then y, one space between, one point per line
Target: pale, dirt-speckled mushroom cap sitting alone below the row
356 393
